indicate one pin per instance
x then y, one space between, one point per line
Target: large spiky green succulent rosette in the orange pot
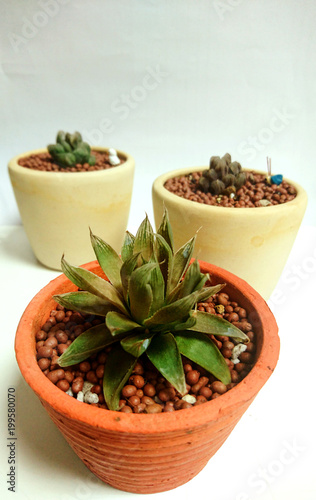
149 306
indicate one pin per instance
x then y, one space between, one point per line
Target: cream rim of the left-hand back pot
15 167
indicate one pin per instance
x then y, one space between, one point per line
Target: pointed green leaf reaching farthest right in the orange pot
212 324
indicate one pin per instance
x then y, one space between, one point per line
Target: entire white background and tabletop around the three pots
172 83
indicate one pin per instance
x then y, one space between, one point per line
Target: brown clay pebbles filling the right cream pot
257 192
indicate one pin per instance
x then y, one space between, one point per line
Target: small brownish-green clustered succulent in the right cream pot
223 176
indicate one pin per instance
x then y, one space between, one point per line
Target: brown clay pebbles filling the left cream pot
44 162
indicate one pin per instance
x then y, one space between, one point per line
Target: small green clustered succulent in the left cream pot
70 149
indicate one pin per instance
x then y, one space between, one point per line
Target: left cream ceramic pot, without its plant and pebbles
57 208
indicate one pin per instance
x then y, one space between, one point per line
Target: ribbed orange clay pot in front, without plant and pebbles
148 453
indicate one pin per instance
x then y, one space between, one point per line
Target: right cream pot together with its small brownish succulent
253 243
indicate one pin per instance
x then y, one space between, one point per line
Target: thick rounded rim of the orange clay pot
197 416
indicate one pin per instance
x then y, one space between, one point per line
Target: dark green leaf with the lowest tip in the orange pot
118 367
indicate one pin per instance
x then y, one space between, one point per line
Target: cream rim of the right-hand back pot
158 187
